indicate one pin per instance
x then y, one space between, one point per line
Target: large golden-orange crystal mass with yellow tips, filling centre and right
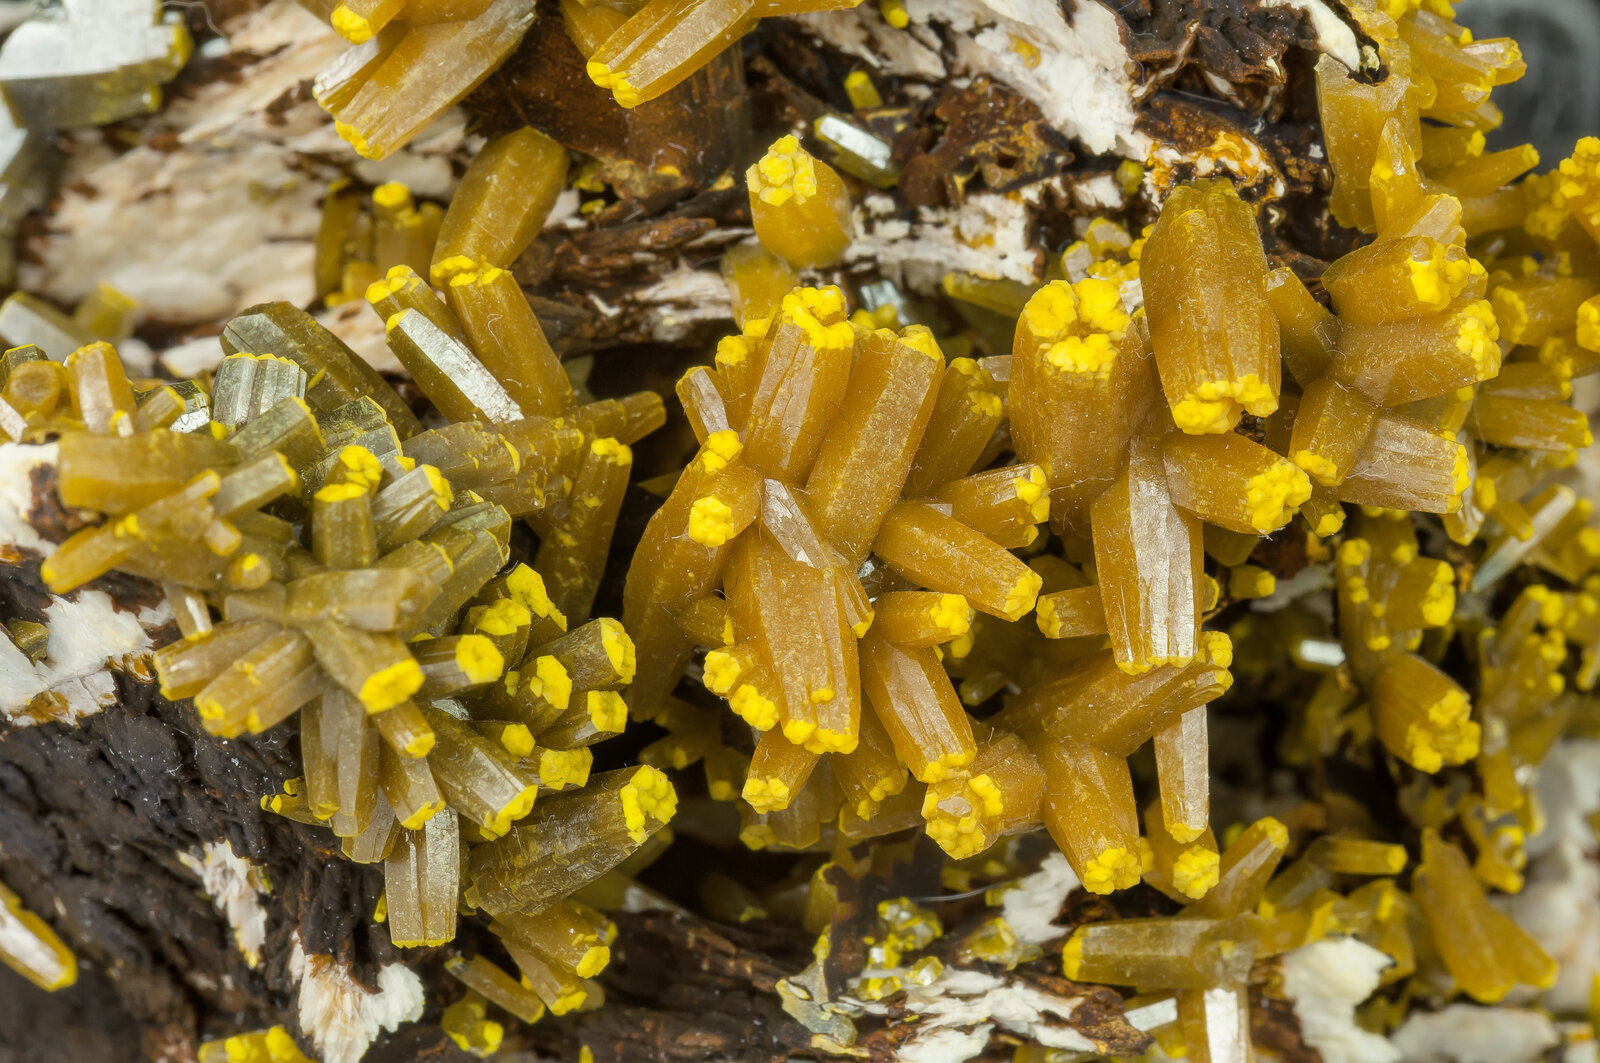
842 547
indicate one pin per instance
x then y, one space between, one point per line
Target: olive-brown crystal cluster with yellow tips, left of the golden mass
327 556
